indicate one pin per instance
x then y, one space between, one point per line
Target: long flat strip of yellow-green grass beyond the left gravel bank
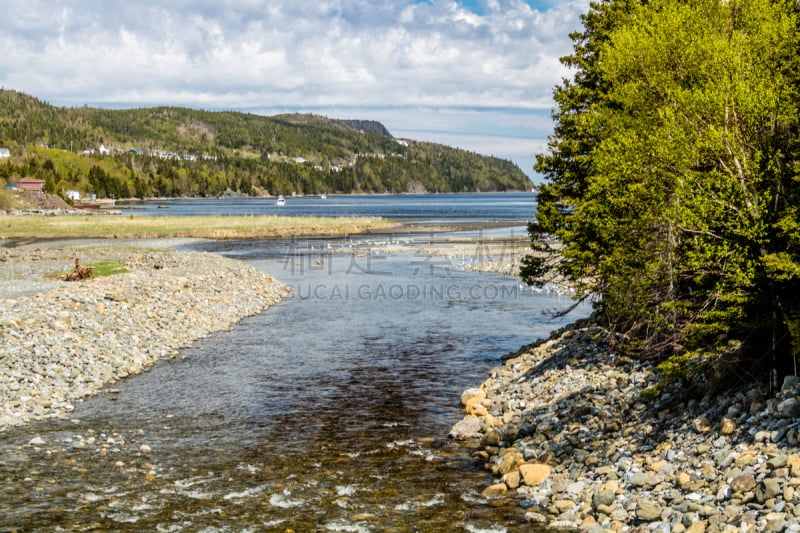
204 227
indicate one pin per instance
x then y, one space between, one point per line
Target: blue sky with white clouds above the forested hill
475 74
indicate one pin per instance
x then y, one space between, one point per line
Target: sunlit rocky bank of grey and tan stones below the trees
576 434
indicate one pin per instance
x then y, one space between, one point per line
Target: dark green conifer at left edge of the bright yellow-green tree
568 165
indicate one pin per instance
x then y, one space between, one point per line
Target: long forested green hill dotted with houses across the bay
173 151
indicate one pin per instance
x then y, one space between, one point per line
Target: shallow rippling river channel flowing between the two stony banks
327 413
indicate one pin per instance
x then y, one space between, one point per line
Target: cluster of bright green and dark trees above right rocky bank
672 188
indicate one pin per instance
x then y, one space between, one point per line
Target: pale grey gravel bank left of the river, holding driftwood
63 341
